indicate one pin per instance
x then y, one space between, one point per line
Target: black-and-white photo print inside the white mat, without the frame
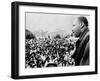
56 40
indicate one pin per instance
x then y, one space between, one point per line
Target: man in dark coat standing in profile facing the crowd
81 30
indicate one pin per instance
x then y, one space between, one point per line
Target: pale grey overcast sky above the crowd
49 22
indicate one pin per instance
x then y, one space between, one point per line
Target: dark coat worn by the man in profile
81 54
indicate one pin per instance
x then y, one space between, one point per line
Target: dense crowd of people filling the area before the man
47 52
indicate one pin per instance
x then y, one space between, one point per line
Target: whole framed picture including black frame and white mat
51 40
